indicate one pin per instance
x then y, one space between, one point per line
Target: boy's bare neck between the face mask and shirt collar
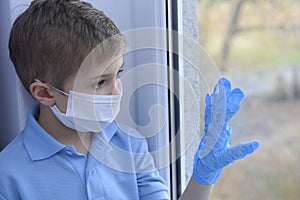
63 134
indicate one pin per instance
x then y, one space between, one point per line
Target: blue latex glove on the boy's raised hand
214 151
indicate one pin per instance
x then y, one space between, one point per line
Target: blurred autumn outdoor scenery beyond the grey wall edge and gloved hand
256 44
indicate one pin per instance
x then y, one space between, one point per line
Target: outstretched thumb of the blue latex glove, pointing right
237 152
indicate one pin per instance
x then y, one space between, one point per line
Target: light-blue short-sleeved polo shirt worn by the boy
35 166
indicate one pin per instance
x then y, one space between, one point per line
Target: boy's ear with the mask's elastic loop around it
42 92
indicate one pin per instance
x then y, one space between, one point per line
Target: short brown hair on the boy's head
51 38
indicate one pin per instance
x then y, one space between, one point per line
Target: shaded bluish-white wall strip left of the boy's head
12 101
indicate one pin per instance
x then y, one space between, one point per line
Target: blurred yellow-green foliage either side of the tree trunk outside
267 34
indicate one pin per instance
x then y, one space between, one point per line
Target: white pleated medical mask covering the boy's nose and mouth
88 112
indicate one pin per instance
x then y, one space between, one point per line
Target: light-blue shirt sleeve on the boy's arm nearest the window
150 184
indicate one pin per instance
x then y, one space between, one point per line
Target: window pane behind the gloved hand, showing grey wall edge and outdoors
255 45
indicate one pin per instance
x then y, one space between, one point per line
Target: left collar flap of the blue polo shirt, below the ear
38 143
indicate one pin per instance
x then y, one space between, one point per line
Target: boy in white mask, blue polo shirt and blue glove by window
71 148
